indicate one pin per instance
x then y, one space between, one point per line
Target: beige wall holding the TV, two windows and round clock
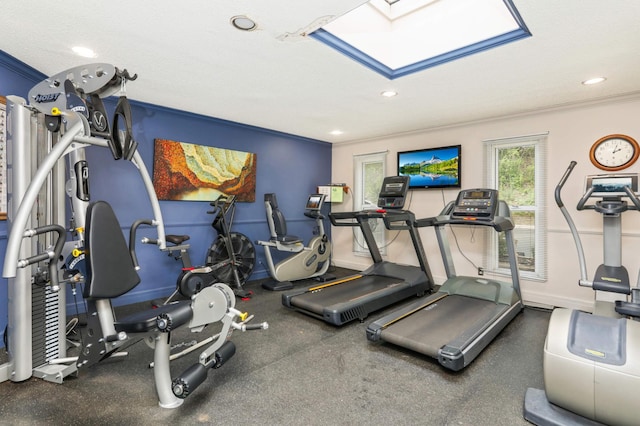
572 131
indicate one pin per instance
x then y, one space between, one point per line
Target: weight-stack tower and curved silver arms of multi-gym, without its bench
51 129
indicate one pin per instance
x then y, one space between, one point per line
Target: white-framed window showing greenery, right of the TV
516 167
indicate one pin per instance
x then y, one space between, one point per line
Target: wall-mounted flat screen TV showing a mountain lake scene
431 167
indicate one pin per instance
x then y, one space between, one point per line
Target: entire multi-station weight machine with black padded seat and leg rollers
65 116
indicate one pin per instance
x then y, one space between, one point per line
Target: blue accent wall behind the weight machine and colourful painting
288 165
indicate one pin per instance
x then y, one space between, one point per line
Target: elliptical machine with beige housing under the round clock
592 361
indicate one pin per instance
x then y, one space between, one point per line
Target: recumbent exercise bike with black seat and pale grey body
310 261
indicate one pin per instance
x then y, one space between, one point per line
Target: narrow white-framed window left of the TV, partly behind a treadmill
369 170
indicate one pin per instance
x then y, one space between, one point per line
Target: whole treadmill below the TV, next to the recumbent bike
384 283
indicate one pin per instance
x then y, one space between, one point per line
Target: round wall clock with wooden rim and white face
614 152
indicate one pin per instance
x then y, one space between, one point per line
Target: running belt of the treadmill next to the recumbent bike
348 291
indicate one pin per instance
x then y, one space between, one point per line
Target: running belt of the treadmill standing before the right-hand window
453 318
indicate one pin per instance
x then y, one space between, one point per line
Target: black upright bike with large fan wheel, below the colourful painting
230 259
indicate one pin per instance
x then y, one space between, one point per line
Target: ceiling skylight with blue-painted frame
400 37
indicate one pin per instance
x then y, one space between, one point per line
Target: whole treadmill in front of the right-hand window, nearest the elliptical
458 321
